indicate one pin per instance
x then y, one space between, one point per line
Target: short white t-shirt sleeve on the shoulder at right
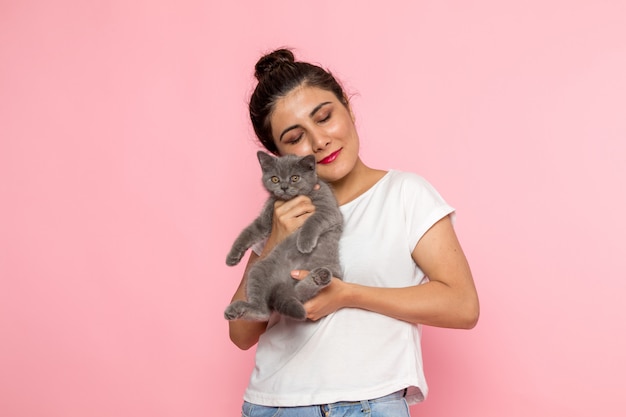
423 206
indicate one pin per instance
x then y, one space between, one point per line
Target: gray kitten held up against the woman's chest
313 247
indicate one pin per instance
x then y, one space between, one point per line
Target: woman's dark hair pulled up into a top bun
278 73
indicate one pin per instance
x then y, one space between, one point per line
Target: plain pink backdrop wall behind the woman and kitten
127 168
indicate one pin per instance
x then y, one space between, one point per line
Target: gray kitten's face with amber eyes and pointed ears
288 176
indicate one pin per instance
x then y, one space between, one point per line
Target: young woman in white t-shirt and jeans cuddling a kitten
360 350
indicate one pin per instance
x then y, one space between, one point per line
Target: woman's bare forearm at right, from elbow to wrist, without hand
433 303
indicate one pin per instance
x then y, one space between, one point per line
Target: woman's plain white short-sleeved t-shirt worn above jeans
355 354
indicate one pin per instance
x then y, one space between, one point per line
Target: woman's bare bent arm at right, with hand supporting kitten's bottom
449 299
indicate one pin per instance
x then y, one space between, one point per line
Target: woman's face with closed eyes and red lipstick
310 120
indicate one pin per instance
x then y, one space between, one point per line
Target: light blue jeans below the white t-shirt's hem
392 405
